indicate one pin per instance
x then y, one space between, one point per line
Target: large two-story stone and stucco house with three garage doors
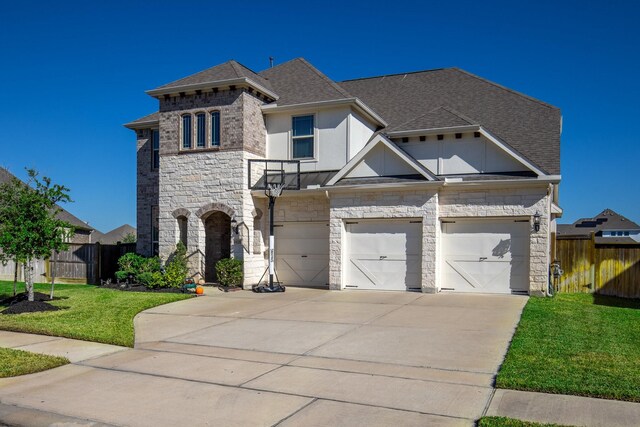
429 180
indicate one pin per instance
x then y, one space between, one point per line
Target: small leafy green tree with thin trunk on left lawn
29 226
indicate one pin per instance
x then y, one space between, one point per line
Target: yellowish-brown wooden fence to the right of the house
603 269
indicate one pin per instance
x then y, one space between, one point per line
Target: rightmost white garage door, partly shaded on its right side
485 256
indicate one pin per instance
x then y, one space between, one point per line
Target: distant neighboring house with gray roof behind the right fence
608 227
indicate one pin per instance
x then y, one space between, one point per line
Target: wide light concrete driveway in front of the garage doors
305 357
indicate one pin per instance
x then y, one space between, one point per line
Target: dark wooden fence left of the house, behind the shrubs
87 263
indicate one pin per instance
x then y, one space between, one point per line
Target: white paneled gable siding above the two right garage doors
458 156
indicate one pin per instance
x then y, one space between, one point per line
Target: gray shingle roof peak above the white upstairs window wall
298 82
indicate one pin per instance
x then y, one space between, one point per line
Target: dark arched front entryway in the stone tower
217 227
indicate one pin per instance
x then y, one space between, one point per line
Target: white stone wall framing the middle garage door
384 204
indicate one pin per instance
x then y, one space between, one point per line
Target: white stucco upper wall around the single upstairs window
330 144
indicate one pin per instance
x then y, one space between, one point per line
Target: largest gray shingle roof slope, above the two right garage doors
529 126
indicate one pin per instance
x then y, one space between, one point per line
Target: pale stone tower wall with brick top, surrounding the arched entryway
198 181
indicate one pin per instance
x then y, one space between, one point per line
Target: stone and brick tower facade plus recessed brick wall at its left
205 186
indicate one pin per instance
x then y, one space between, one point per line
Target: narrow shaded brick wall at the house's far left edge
147 186
